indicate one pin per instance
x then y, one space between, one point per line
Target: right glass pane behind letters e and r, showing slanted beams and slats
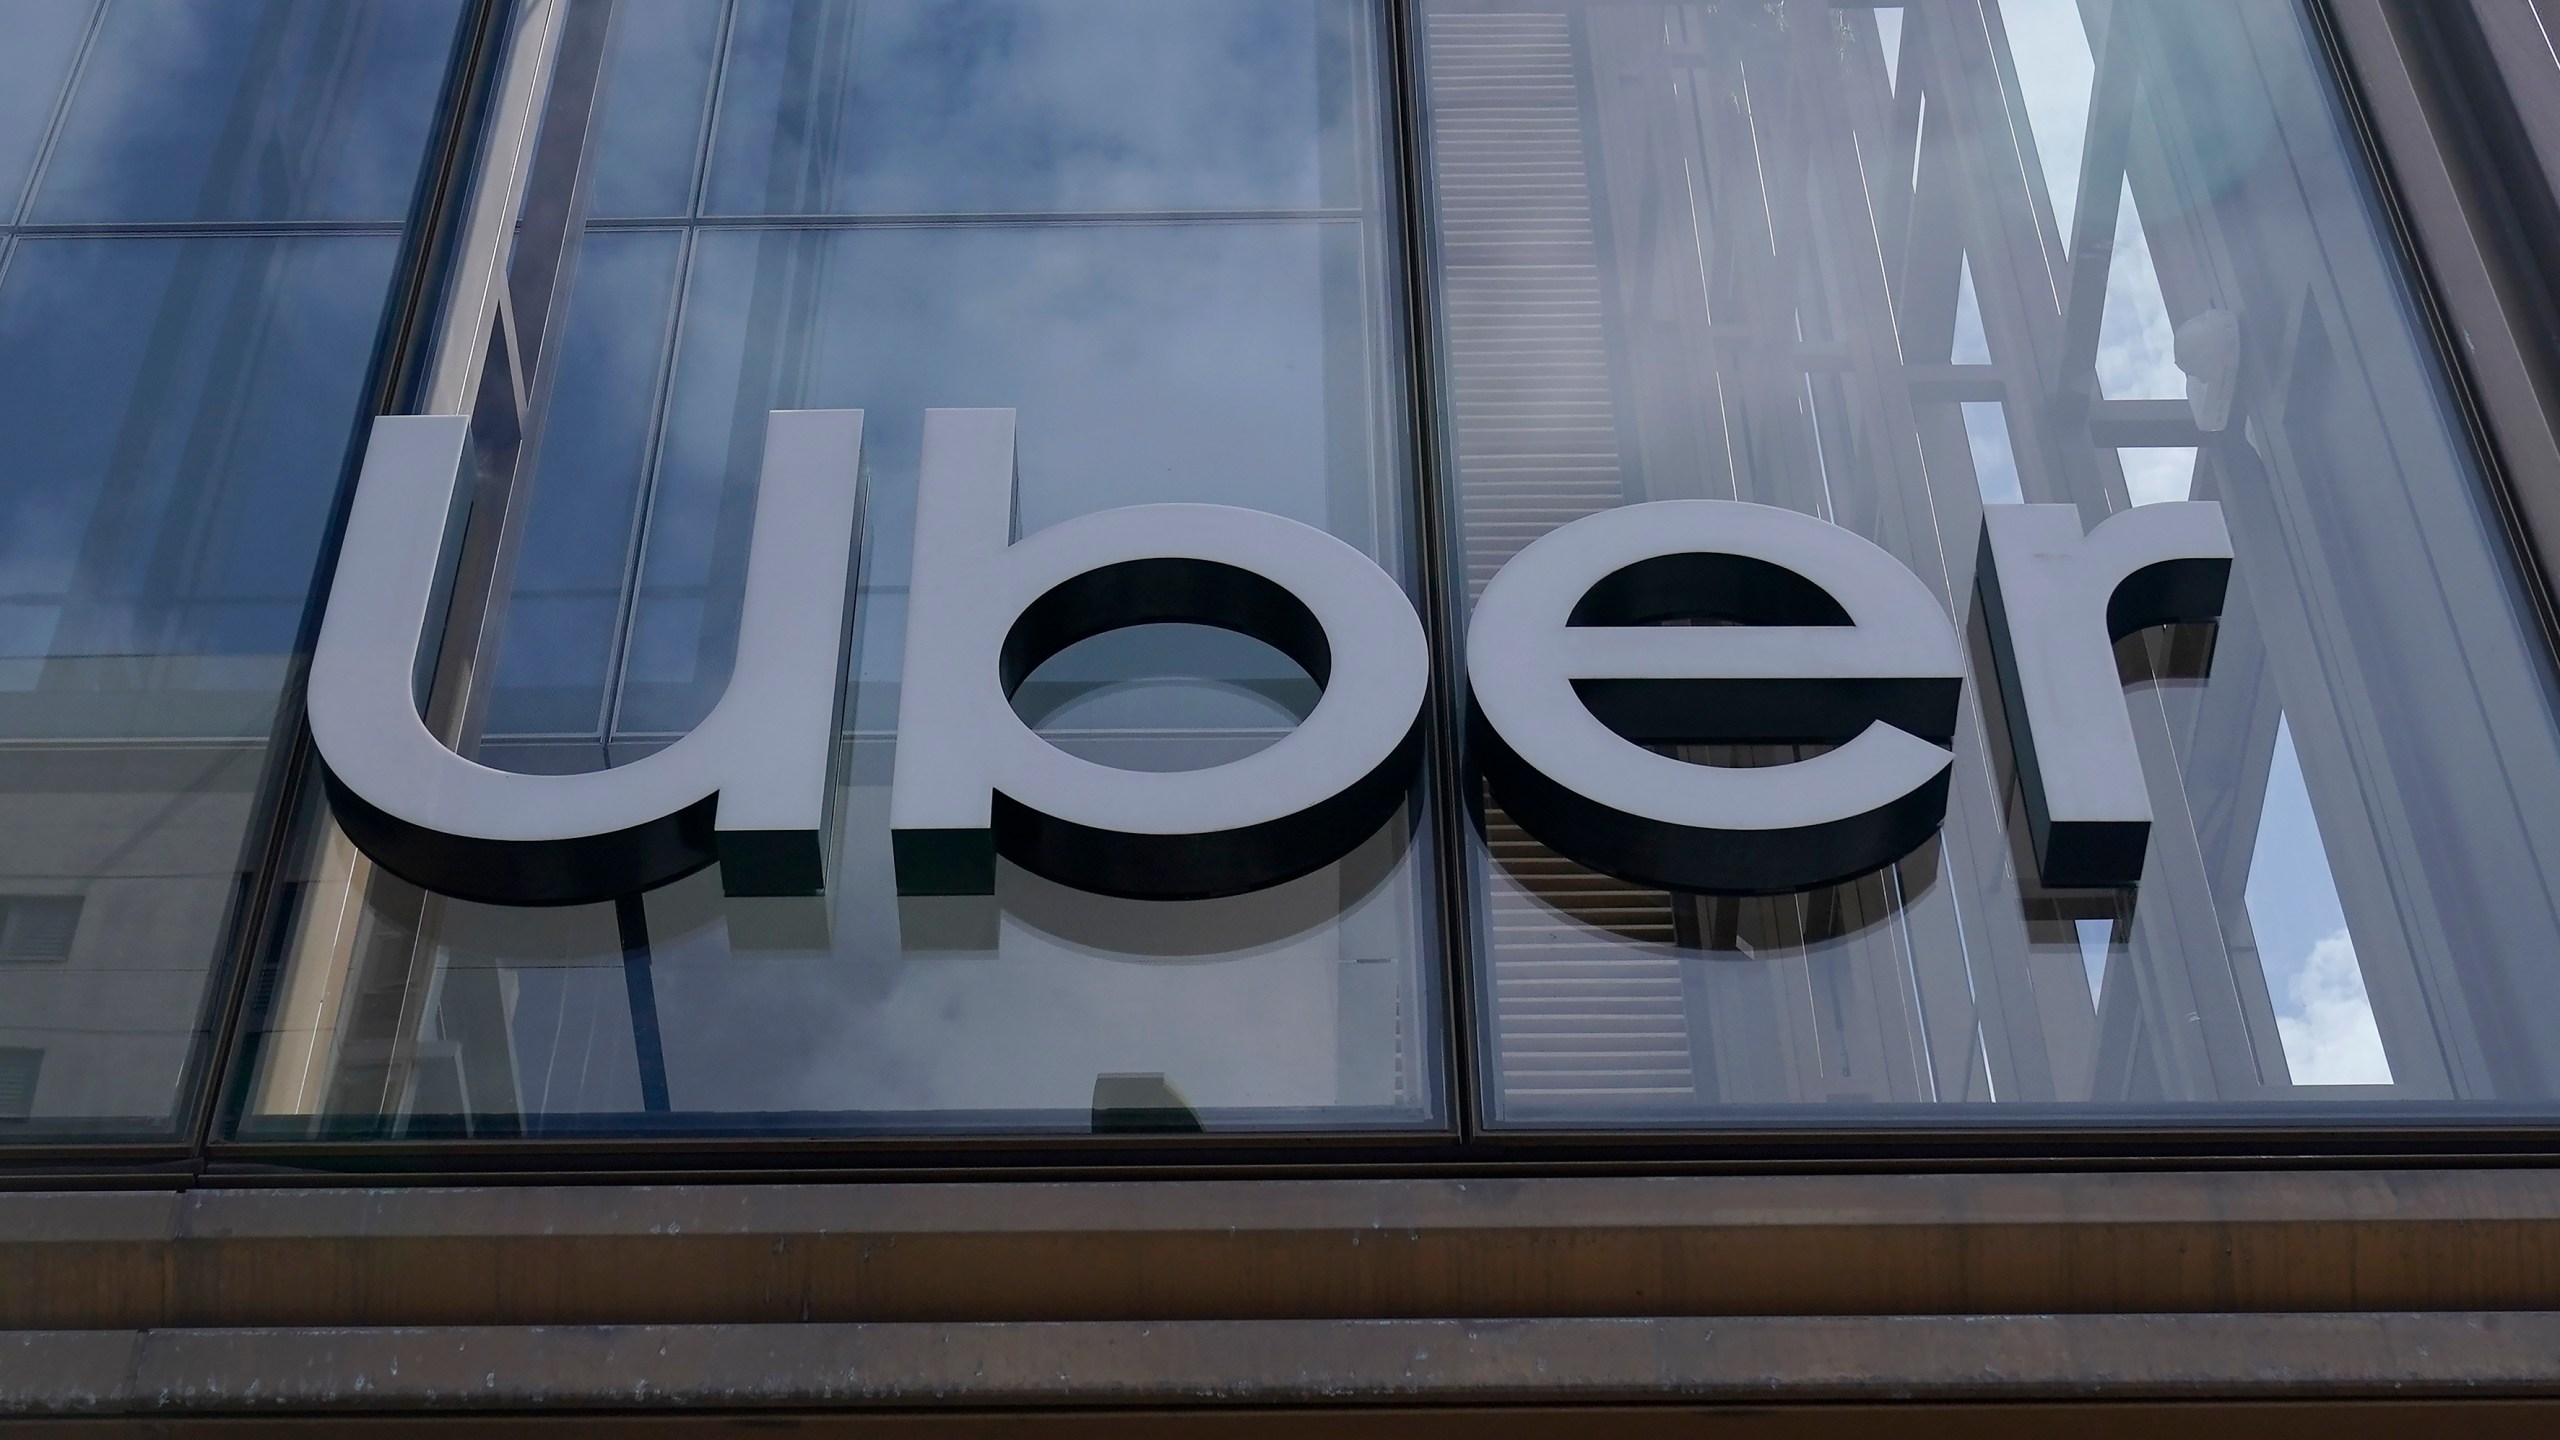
1898 263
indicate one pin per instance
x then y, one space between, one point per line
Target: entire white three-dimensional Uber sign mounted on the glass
1681 621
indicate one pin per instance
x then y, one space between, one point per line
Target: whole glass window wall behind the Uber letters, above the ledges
1430 278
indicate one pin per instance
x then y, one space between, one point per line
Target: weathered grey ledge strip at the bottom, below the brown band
1281 1364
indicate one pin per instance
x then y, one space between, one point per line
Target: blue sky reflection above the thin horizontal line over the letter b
928 106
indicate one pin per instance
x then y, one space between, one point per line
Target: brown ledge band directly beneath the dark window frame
2359 1241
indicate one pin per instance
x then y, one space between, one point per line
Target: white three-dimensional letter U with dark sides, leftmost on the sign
746 788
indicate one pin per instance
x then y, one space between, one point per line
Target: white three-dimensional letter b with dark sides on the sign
974 780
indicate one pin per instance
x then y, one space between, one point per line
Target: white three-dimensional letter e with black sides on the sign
1837 644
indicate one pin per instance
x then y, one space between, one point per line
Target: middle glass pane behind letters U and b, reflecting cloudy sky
1156 229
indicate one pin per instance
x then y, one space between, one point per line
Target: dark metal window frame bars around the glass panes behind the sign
2446 137
